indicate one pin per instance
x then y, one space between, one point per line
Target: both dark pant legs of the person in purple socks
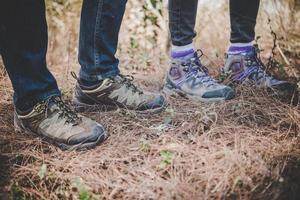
182 15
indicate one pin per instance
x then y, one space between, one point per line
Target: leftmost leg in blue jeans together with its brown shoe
39 108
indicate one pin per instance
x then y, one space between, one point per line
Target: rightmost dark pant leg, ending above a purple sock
243 14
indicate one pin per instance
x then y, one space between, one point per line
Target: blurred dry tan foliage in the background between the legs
144 38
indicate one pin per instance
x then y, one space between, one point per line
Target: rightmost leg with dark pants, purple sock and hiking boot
242 60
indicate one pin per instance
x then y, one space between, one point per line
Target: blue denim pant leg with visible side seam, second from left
99 31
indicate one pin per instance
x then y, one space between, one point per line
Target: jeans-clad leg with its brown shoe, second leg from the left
100 85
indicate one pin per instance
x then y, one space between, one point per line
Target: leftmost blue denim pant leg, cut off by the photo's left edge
23 46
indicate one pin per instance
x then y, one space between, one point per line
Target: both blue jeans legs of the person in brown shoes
24 38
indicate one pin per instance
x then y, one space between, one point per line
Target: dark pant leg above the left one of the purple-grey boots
182 19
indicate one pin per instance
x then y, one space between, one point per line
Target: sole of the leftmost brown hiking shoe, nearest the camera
78 147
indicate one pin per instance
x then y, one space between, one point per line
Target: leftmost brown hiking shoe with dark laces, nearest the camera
54 121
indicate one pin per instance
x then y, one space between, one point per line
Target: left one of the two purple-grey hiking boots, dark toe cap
189 78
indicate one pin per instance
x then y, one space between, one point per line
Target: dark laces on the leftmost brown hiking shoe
64 110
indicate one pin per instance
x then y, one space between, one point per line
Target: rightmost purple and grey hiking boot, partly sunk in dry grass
246 67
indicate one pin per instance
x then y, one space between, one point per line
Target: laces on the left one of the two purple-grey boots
196 69
